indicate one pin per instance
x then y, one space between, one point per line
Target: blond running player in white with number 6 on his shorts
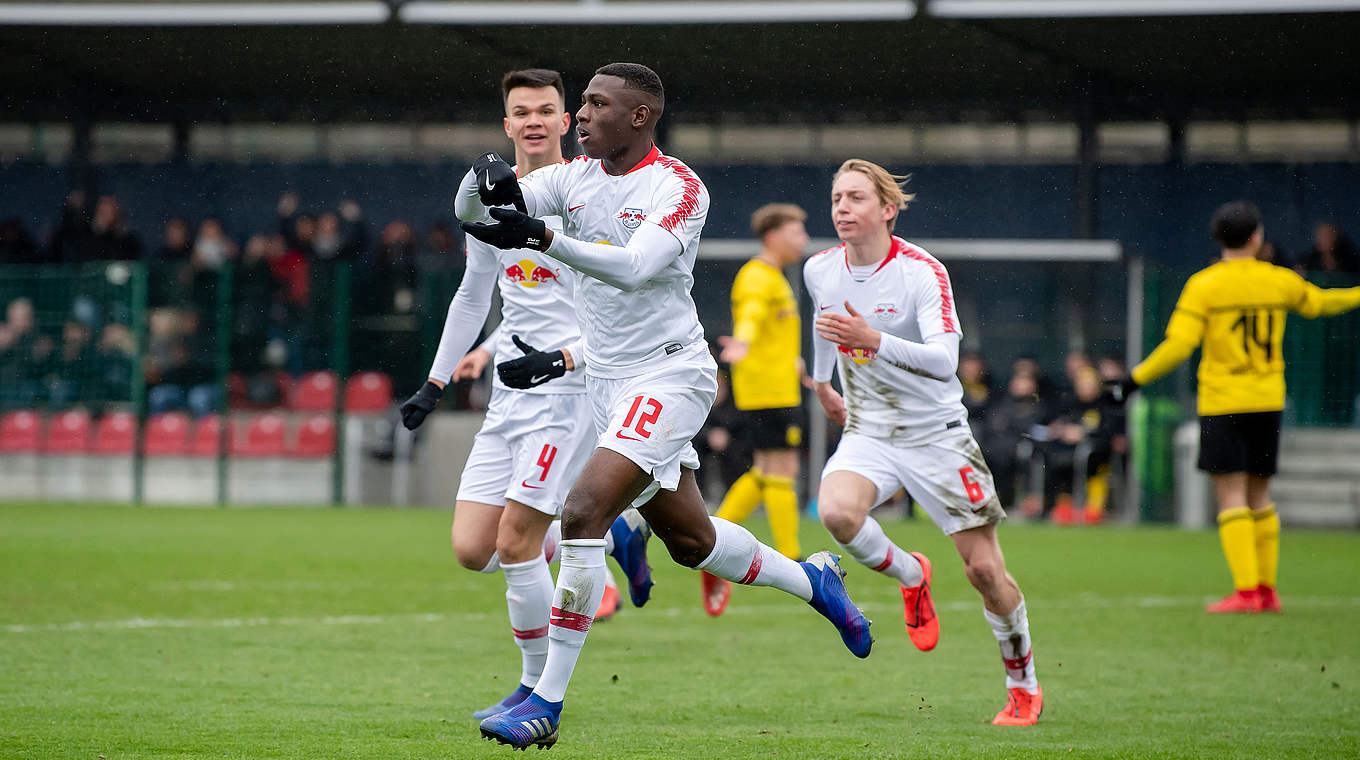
886 320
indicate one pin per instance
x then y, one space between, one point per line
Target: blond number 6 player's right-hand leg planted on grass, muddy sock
1004 610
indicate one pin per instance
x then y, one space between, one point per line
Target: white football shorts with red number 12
653 417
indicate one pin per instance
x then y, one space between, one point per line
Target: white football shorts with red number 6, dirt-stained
947 477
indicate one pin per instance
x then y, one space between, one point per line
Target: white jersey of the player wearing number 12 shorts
628 332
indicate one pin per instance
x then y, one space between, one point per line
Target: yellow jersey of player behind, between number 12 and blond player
765 316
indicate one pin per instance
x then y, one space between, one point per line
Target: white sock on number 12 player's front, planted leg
575 603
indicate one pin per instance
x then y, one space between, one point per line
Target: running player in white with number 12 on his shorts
632 224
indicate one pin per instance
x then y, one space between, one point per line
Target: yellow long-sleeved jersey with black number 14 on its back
1236 312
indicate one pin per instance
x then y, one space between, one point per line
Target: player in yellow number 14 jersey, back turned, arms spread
1236 311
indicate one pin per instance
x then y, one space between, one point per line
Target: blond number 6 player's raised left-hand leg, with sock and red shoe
844 504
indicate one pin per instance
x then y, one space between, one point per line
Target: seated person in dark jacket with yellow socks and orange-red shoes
1090 419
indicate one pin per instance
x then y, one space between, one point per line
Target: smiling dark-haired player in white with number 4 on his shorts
534 443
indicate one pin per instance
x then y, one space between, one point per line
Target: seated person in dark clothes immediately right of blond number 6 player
1011 421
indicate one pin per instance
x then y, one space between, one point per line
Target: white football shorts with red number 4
531 449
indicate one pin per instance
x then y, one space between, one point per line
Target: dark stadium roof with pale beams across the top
943 61
